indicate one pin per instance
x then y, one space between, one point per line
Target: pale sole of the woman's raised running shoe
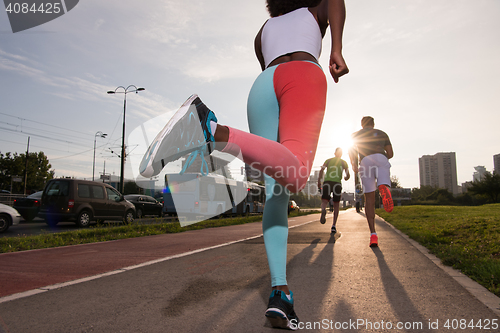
151 165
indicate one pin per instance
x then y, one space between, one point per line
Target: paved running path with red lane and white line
340 284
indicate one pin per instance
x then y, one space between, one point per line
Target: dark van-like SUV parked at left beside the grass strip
83 201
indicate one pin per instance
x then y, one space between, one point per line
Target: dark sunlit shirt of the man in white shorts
370 141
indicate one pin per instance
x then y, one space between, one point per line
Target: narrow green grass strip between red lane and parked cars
107 232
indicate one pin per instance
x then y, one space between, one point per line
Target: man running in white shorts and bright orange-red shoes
374 150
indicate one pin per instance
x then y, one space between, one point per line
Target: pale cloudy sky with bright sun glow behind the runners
426 70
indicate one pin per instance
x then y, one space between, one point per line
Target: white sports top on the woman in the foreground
296 31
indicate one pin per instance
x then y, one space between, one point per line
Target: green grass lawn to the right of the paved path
466 238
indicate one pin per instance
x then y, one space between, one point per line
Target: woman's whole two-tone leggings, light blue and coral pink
285 111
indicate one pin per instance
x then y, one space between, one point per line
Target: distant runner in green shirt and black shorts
332 184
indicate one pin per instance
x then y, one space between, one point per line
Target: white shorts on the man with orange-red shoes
374 170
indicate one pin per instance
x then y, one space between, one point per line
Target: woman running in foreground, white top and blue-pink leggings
285 109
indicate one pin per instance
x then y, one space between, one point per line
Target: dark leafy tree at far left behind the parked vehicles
38 171
